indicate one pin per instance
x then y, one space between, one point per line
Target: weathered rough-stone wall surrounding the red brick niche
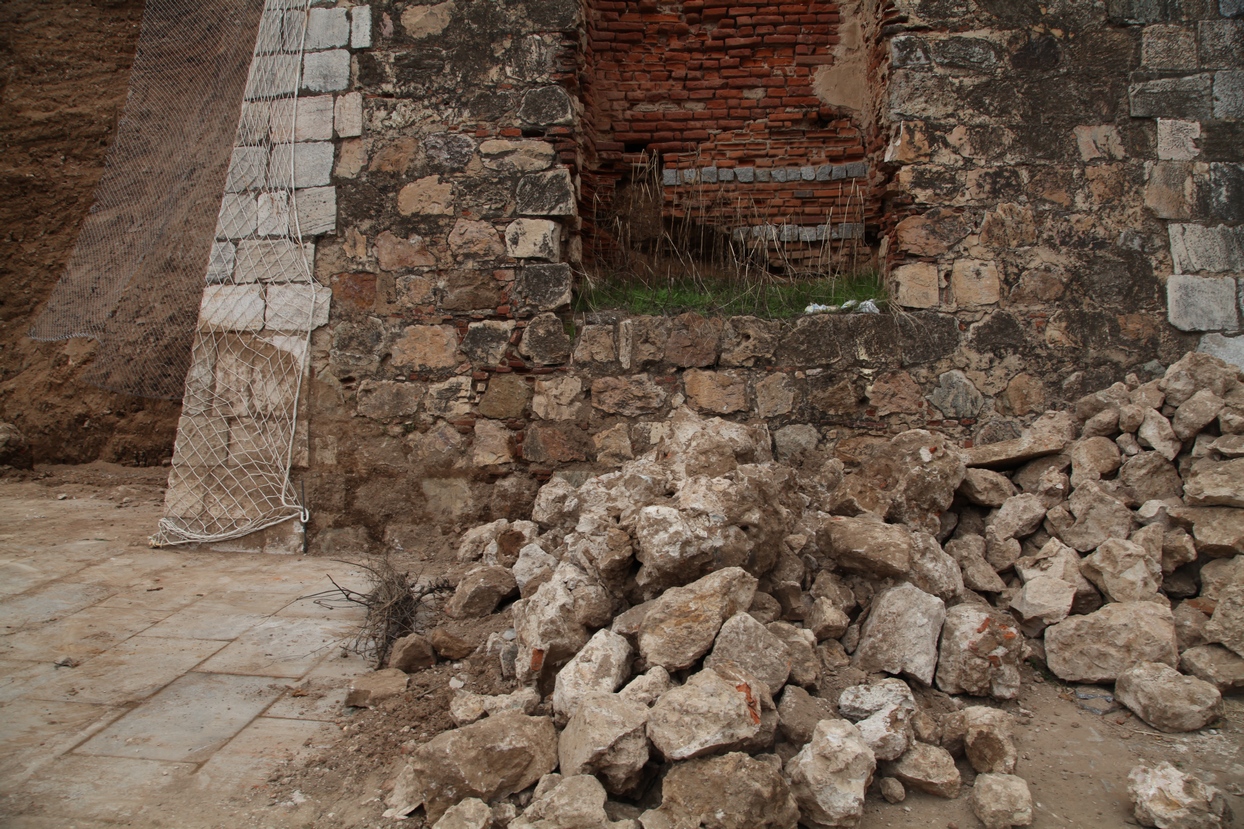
1021 164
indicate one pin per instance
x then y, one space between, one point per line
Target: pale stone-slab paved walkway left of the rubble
129 674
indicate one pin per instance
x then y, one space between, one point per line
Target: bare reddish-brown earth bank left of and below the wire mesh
64 73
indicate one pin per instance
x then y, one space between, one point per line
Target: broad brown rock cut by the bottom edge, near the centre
728 792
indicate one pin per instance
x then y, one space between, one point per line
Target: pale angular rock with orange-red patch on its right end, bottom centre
707 715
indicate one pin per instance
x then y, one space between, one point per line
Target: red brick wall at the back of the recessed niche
722 91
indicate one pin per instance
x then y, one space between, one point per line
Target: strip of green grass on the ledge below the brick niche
772 299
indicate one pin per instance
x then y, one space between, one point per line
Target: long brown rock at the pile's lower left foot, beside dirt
488 760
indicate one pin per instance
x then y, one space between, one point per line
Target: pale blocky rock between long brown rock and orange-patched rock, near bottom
608 738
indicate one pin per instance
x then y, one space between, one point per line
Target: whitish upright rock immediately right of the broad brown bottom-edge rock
830 775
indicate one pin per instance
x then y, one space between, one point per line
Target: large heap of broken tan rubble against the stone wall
712 638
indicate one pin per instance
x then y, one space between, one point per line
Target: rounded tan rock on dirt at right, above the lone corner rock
1167 700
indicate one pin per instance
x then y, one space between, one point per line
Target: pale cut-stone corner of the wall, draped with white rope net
237 436
